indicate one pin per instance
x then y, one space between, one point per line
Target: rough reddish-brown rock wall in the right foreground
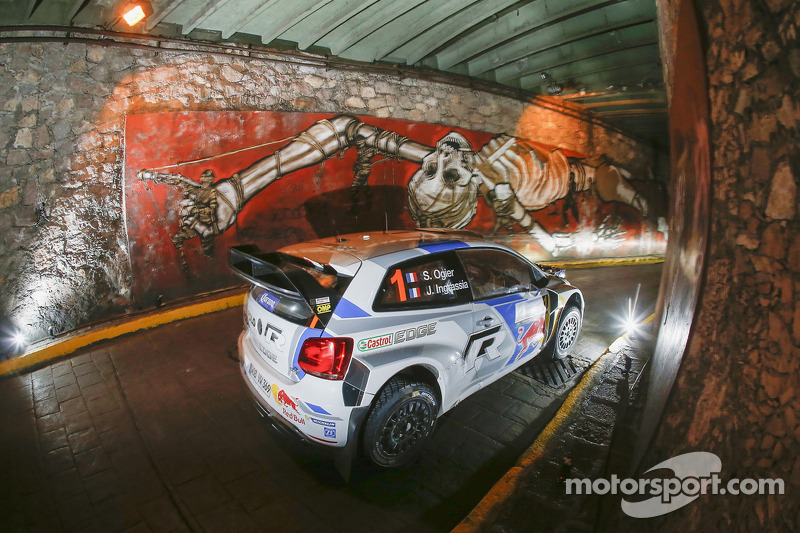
738 392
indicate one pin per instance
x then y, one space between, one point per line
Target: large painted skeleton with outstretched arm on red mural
513 177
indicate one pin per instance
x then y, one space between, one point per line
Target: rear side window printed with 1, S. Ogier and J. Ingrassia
430 281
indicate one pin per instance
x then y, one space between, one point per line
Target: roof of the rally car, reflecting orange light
345 252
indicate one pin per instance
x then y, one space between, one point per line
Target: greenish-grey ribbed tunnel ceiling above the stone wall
601 54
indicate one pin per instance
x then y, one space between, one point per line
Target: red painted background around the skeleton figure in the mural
315 201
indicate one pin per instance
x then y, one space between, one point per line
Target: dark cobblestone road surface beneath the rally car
156 432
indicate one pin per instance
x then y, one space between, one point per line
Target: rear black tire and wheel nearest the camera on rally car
400 422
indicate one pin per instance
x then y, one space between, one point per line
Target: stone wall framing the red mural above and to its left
63 260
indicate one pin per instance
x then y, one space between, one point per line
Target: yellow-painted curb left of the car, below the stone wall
92 335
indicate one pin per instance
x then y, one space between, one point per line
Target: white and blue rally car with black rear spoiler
361 341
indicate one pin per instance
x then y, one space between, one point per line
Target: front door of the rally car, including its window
509 312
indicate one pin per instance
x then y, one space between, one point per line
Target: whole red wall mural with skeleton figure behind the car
199 182
